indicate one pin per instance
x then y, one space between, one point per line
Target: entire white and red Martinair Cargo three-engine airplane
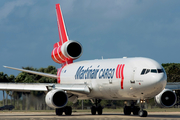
135 79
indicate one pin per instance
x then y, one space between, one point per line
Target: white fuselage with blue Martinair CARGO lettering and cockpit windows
117 79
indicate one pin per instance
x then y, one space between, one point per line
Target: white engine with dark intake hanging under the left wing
56 98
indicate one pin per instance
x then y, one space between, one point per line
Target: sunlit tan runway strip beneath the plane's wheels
86 116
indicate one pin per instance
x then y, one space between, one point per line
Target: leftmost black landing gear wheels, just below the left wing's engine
67 110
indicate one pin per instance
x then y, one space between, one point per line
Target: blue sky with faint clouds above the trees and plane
108 28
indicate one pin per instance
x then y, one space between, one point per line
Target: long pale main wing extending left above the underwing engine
27 87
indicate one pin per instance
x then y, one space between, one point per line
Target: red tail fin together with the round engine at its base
64 51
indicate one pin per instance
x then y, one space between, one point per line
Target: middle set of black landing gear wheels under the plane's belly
97 108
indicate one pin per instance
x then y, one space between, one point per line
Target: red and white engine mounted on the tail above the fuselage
69 51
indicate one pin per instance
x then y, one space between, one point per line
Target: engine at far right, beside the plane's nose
166 98
